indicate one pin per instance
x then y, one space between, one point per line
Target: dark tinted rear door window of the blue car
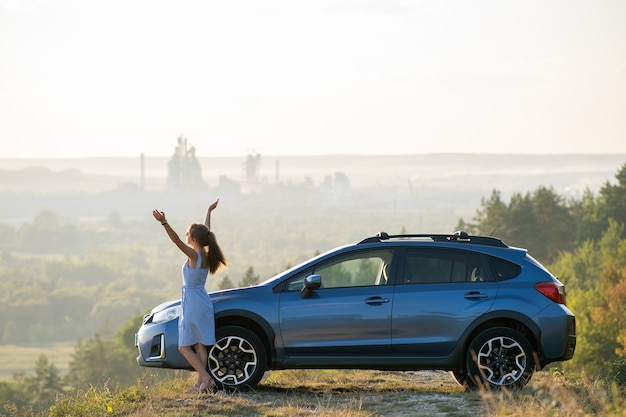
434 265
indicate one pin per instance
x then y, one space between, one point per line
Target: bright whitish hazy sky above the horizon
124 77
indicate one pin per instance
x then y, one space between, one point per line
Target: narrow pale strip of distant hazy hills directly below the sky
296 166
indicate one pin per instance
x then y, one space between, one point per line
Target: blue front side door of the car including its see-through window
349 315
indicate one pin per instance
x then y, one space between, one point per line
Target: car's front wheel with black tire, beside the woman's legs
238 359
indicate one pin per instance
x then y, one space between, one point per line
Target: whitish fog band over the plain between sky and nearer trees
450 185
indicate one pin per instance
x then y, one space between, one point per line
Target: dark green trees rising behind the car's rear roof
546 223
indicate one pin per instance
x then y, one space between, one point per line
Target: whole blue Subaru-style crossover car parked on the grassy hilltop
487 312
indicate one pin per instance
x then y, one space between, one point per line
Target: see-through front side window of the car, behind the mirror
354 270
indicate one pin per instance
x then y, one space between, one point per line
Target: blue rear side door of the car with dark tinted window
439 293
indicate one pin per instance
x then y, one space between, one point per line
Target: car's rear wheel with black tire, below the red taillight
500 358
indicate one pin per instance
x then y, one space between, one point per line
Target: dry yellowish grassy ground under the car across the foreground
299 393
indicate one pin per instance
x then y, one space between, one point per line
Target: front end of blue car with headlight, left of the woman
158 346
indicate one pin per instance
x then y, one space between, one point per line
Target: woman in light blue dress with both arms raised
196 327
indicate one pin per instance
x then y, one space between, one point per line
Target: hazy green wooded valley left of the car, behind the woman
56 289
